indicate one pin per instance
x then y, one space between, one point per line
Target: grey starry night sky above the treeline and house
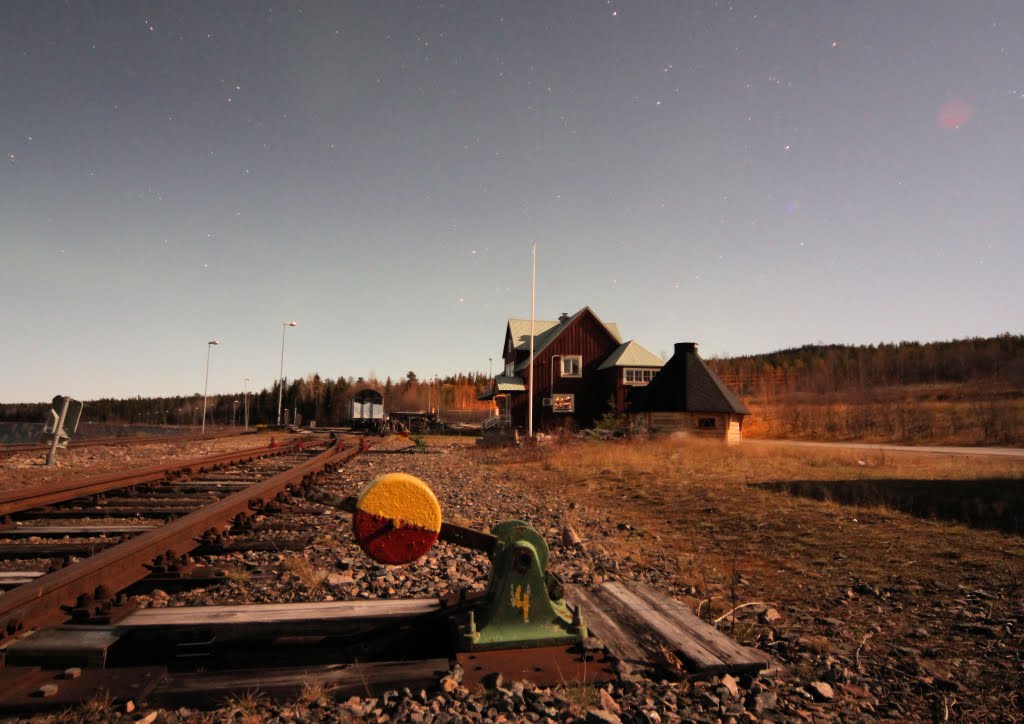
751 177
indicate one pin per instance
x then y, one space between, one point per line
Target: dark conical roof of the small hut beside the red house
688 385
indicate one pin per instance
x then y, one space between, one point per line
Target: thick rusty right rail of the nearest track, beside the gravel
41 603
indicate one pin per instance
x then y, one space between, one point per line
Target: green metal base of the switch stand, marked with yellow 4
523 606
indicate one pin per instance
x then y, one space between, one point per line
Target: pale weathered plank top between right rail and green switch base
277 614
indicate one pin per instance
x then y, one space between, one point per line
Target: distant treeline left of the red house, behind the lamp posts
313 399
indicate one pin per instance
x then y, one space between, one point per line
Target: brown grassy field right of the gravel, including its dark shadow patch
926 611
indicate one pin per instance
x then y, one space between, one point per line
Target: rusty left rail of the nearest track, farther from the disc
28 498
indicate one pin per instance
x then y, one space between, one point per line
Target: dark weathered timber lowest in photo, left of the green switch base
343 680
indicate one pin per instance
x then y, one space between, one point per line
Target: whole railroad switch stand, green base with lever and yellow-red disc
397 520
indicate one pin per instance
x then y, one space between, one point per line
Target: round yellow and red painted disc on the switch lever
398 519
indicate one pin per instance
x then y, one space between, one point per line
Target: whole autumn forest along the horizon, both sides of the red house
967 392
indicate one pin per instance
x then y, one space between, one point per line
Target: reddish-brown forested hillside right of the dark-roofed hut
967 392
